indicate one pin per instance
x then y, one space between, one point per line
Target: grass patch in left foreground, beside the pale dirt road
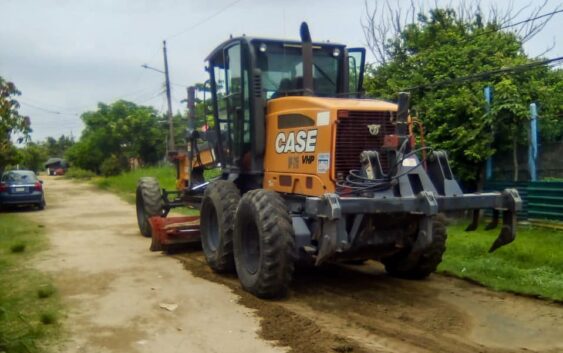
29 304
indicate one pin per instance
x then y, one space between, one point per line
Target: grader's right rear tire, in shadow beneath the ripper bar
398 265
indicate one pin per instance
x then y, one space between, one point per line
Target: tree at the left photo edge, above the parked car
11 122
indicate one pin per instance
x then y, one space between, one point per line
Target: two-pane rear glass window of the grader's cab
282 69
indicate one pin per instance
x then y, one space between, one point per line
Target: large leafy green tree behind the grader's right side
430 52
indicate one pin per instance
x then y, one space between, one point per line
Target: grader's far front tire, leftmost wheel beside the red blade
148 203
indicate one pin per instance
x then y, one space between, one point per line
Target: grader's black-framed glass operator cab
246 72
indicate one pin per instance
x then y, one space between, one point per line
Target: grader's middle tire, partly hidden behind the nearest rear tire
217 218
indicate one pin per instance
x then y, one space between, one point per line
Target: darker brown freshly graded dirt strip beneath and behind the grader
361 309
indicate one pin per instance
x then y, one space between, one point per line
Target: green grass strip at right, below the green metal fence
532 264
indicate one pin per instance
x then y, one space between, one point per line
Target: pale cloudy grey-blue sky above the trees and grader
65 56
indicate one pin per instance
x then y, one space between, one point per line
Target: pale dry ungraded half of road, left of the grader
113 286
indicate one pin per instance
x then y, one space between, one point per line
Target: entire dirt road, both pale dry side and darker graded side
113 288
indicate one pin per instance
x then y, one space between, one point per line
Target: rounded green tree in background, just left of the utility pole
118 132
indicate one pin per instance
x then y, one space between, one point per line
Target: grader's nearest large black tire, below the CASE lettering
264 244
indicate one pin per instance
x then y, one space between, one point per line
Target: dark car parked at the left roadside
21 187
